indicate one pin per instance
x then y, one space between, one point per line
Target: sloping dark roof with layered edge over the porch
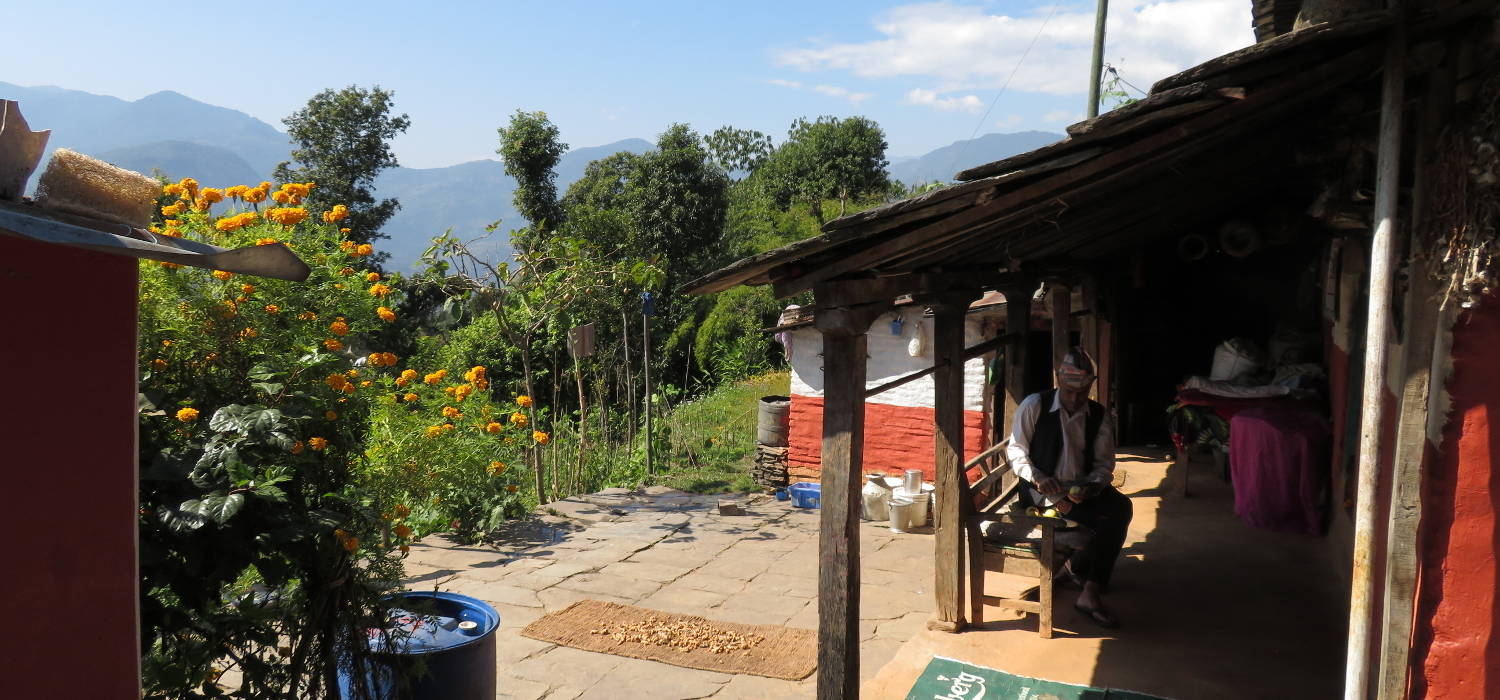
1190 149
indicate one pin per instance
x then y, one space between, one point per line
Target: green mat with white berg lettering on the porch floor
952 680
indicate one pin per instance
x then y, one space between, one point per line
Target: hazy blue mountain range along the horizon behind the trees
181 137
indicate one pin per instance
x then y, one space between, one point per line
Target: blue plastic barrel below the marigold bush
451 635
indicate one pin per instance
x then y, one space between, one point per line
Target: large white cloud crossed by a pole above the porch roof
967 49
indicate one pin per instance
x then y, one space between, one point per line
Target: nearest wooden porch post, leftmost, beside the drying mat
844 331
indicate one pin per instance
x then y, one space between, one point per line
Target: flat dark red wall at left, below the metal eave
68 351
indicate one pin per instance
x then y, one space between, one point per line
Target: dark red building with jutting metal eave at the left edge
71 431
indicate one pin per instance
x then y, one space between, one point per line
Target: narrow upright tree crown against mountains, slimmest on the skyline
532 149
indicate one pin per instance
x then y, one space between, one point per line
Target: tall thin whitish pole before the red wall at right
1378 334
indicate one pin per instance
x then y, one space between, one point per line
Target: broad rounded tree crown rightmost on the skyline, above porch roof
827 160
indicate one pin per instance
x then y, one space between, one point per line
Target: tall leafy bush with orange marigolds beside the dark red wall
257 549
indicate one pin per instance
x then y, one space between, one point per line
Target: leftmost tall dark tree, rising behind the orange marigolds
343 145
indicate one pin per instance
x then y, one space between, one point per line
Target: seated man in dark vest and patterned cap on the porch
1063 446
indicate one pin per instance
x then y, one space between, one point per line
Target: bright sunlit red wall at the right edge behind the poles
1457 636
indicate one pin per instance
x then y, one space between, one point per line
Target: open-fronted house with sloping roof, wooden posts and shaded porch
1339 182
